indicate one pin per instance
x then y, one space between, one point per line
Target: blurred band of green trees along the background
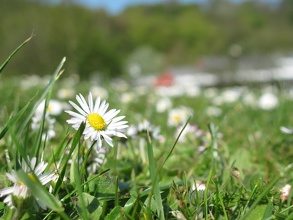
97 42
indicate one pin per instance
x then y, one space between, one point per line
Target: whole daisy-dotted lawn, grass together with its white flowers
214 154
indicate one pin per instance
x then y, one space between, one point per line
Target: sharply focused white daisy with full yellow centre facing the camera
99 124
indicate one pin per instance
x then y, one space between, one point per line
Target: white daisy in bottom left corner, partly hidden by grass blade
19 192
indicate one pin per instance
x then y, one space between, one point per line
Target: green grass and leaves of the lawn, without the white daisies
241 156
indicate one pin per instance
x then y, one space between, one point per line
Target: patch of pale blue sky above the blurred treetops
116 6
